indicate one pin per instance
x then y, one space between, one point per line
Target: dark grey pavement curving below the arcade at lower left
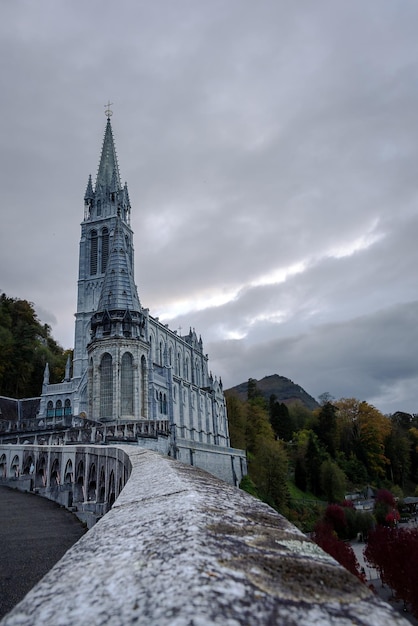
34 534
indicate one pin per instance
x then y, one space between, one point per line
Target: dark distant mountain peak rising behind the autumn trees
283 388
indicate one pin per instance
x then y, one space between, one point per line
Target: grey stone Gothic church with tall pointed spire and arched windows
127 366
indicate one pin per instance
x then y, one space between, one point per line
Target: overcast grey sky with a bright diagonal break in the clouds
271 155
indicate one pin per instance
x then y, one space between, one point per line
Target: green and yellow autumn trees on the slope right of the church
296 454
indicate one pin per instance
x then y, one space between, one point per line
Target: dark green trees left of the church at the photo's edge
26 346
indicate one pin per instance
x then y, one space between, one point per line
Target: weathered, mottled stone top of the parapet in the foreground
182 548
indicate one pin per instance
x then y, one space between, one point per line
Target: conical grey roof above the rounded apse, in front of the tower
119 290
